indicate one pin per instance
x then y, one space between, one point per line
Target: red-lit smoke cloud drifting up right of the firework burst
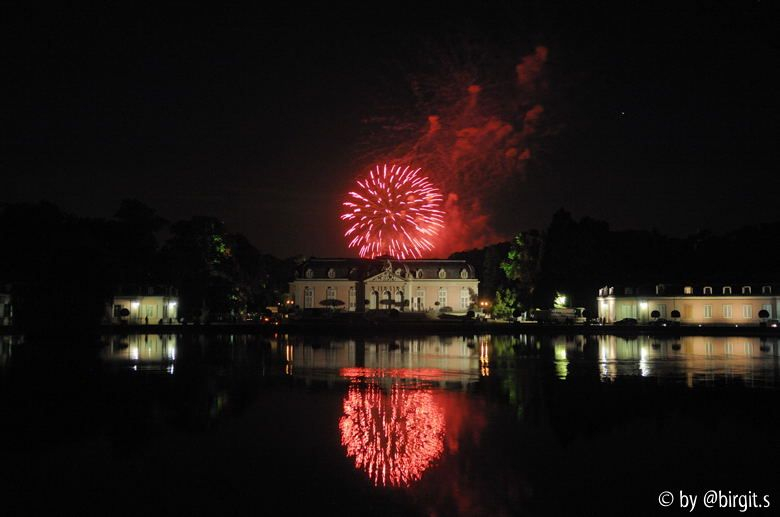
478 127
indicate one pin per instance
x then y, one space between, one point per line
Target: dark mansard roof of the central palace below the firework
361 269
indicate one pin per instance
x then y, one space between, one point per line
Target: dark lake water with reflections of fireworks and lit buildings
464 425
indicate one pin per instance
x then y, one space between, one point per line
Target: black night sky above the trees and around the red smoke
659 116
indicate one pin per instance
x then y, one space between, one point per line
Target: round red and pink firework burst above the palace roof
395 212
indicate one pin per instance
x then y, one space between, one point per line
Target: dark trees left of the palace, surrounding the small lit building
62 268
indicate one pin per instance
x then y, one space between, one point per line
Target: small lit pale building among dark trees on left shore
144 306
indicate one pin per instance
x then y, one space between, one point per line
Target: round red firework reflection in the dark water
393 437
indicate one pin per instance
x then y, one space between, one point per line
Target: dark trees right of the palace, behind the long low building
577 257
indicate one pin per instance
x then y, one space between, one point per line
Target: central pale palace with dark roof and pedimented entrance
358 285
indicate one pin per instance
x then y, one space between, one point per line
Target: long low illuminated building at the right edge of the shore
705 304
